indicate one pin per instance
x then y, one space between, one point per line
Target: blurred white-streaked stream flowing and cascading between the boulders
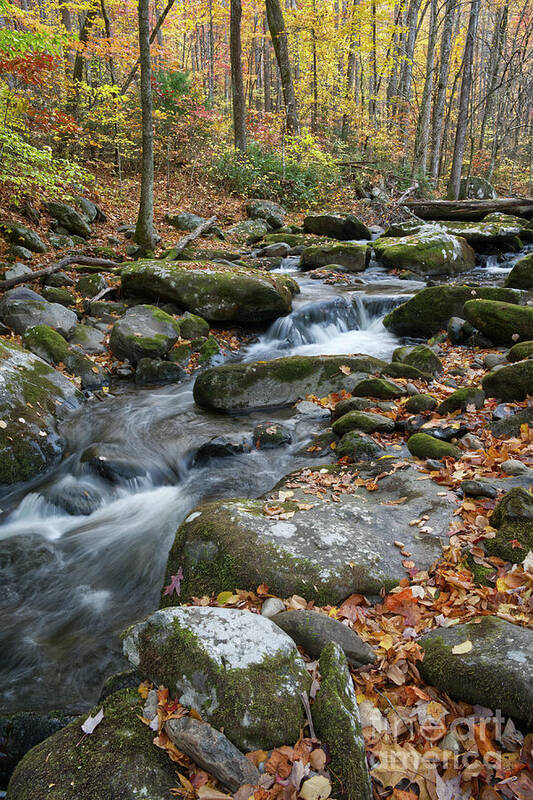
82 557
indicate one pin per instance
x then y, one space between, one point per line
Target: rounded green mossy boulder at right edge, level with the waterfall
502 323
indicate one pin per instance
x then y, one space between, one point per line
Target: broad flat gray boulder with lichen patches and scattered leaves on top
309 546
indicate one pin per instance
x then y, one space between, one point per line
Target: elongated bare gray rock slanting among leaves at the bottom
212 751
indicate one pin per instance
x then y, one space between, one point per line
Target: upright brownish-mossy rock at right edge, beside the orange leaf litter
513 517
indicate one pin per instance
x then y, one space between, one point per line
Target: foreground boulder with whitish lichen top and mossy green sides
237 669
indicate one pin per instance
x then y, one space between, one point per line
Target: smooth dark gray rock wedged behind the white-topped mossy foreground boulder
313 631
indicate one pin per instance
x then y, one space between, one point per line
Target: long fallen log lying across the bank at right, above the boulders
470 210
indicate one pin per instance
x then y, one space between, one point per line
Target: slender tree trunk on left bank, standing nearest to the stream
144 230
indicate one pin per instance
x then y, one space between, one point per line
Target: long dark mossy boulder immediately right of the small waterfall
429 310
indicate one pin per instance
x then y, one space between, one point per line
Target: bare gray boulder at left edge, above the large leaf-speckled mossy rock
21 308
